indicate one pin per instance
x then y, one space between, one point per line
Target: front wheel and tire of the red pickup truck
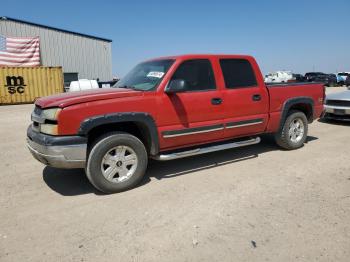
117 162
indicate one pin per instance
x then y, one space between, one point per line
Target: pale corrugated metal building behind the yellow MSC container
80 55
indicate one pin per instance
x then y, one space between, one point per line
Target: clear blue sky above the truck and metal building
296 35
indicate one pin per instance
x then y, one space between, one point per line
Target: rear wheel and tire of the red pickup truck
287 137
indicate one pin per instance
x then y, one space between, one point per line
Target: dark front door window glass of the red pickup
197 74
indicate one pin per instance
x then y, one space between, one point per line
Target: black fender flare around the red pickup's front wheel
141 118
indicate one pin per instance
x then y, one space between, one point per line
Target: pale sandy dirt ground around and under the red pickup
257 203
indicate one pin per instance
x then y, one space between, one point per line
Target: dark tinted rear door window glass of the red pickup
238 73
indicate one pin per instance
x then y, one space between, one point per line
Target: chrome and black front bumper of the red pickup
57 151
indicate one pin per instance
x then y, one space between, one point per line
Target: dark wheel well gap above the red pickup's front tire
134 128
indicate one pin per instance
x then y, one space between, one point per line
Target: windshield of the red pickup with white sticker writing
145 76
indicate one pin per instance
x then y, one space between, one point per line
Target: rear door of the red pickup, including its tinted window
246 98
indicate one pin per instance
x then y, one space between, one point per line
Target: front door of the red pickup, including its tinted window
194 116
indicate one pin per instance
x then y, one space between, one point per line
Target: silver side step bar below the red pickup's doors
199 151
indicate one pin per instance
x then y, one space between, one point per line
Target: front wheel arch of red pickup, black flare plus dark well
141 125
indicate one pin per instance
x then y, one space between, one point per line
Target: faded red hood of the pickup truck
72 98
